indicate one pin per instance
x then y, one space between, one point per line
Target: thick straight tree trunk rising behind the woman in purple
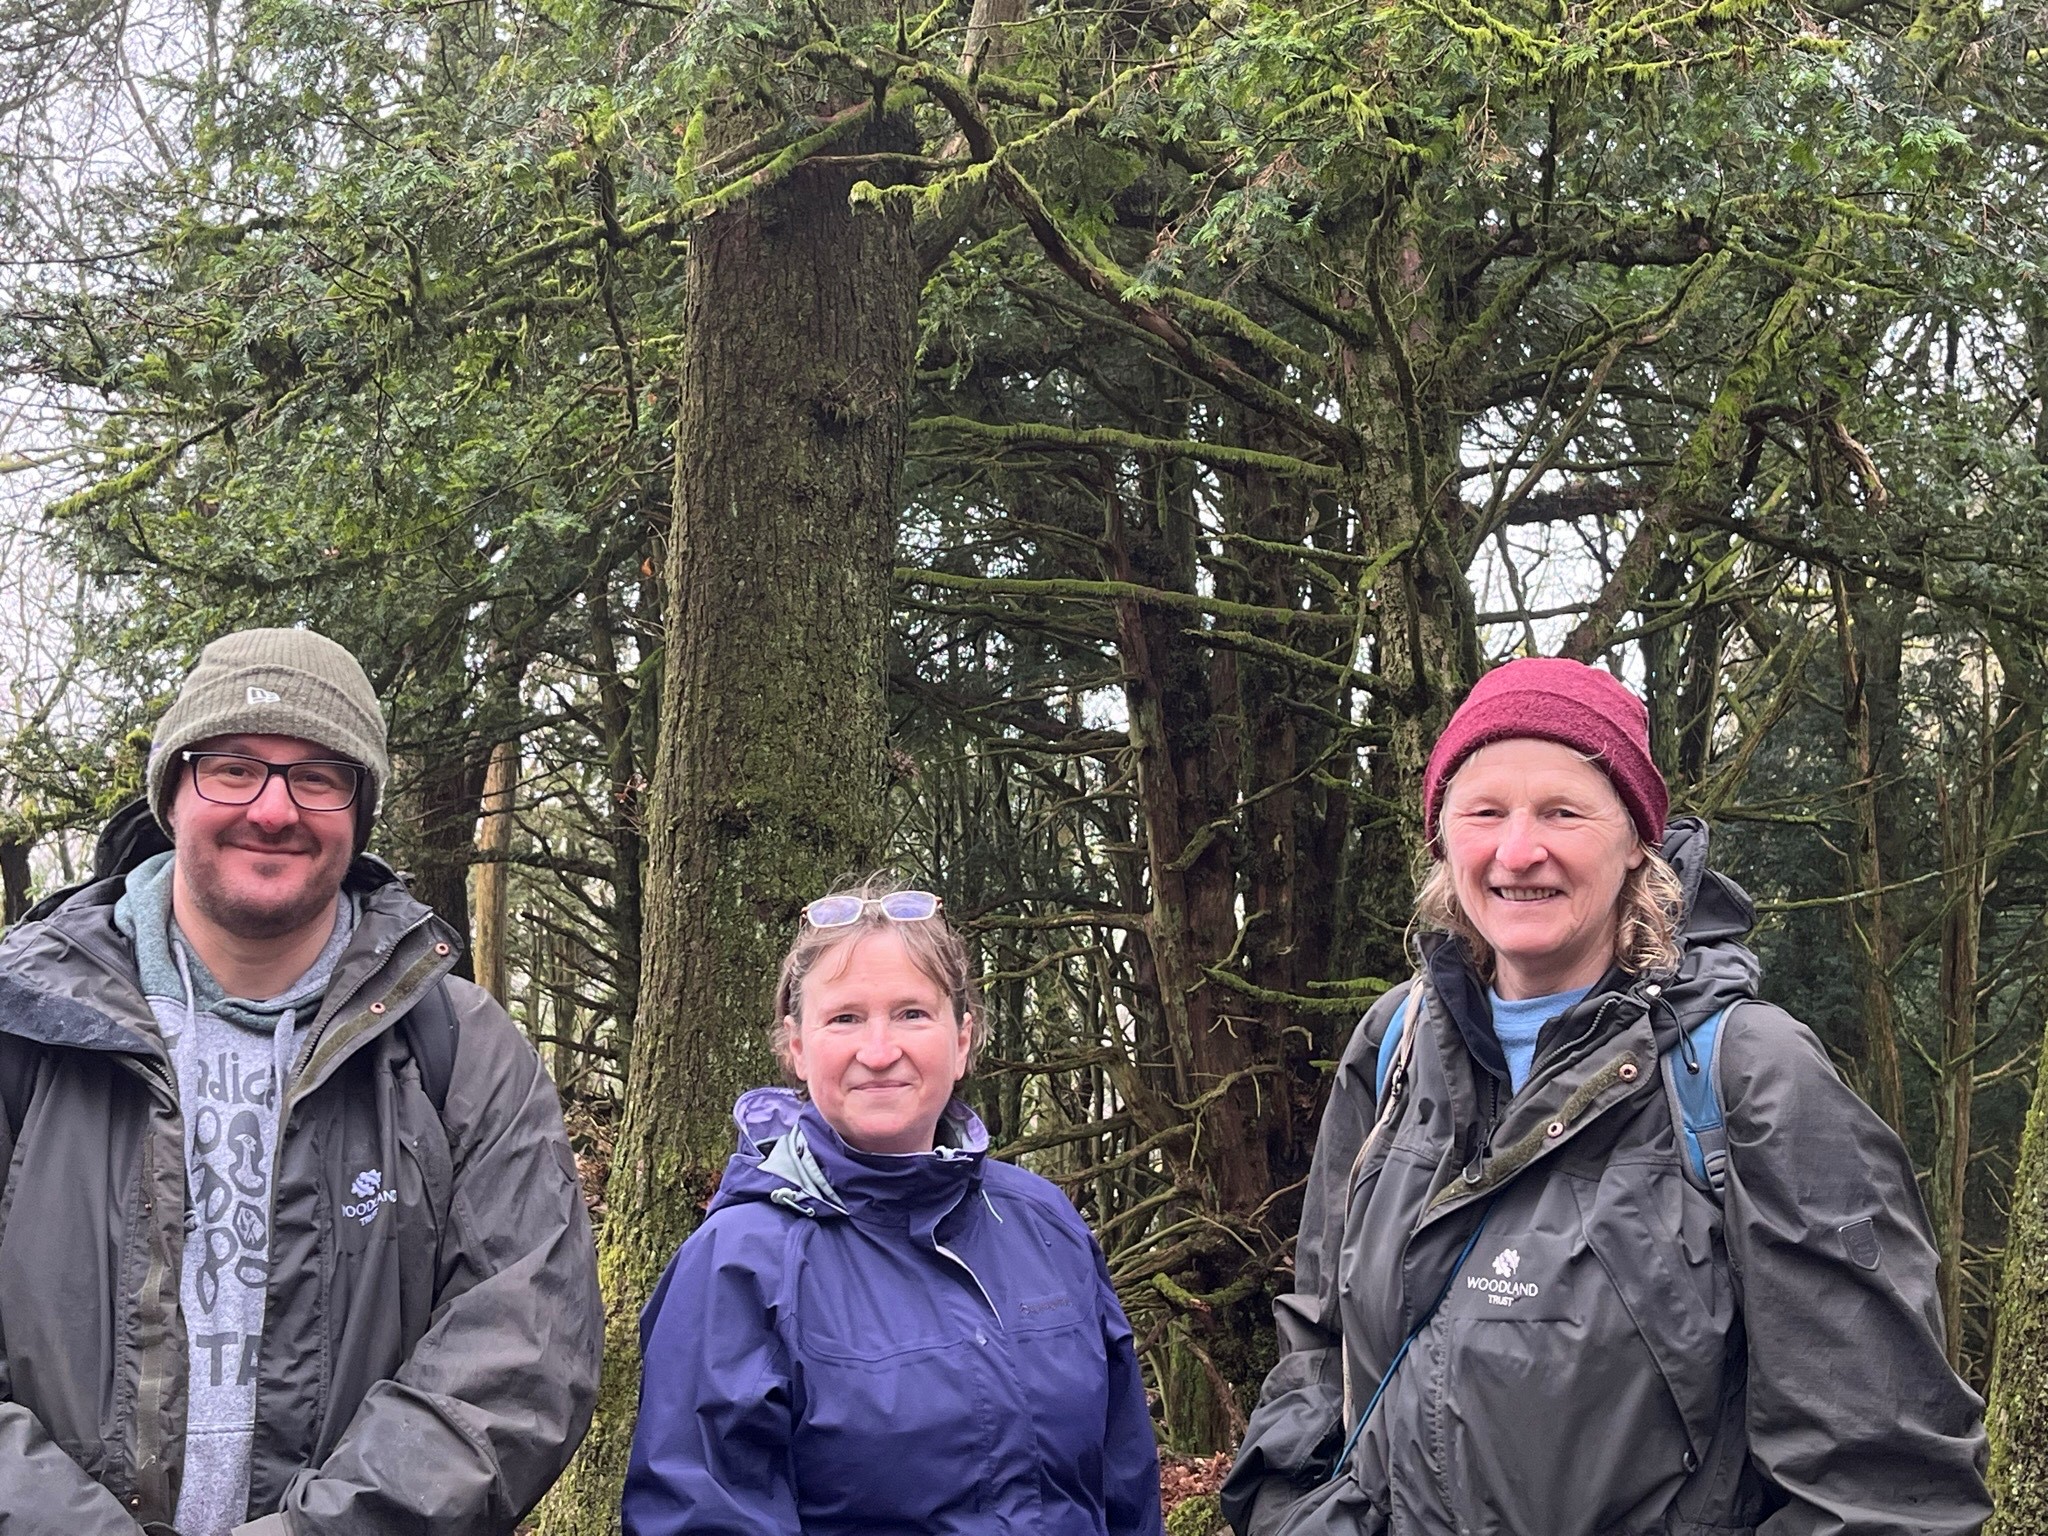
769 777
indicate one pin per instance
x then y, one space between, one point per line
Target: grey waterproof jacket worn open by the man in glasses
425 1371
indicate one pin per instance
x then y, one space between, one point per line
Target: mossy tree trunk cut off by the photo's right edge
2018 1404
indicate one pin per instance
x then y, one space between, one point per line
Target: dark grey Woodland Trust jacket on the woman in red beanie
1615 1355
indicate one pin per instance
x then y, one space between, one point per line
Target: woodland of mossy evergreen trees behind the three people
1078 456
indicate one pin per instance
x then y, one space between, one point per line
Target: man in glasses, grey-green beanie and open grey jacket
290 1234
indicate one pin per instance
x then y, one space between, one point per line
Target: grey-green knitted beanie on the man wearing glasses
275 683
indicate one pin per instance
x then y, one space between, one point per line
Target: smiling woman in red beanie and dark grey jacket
1596 1244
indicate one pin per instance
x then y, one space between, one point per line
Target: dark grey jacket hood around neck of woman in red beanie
1715 968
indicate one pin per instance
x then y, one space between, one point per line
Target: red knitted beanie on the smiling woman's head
1564 701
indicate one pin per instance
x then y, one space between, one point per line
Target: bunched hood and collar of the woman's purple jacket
790 1156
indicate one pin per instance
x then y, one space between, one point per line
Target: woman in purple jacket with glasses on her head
878 1328
